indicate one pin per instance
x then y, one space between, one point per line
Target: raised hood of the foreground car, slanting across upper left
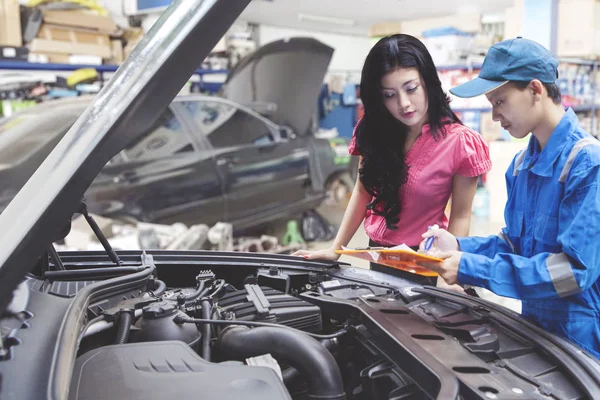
131 102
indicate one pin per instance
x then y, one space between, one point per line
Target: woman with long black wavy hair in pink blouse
415 153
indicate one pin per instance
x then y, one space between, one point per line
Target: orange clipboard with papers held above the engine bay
400 257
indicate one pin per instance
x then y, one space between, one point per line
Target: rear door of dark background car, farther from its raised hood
162 177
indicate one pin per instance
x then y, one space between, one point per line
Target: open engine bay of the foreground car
210 324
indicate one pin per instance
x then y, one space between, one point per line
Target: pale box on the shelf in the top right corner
578 28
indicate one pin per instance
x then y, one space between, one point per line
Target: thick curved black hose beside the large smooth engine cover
297 349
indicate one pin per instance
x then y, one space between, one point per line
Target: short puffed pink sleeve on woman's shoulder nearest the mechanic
473 155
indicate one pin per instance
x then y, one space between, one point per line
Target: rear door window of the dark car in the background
167 137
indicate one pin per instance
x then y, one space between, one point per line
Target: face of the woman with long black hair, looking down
405 96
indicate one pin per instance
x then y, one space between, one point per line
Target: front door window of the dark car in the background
225 125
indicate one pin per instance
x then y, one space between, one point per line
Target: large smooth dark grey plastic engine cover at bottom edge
167 370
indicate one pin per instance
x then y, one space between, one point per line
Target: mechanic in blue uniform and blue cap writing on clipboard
548 254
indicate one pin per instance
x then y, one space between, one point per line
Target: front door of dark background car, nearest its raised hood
262 173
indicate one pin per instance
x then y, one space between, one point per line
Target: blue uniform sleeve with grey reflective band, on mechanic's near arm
550 275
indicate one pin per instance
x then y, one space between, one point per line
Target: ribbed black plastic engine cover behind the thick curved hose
264 304
